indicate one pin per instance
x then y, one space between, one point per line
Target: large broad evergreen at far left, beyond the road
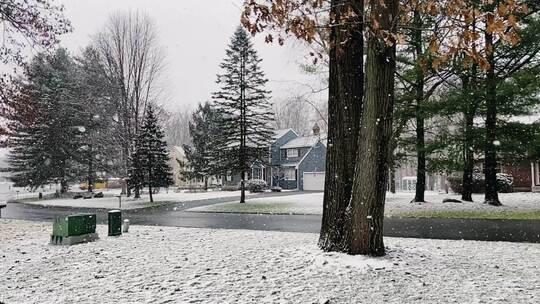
47 136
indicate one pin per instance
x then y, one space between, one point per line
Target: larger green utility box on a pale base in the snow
73 229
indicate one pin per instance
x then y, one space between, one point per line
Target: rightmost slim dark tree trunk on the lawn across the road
490 165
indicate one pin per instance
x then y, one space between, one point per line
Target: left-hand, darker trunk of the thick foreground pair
346 86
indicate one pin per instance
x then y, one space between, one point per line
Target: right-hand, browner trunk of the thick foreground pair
364 233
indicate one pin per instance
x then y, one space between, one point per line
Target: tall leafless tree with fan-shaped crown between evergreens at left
132 60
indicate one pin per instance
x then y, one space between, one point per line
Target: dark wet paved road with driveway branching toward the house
174 215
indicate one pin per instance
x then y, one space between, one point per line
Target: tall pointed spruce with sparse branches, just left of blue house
243 102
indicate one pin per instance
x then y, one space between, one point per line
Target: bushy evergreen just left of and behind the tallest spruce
201 154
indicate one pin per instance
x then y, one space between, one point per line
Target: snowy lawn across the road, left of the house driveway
110 201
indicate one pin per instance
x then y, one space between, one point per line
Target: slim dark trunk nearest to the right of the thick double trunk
419 97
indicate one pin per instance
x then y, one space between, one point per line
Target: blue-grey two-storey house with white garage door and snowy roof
295 162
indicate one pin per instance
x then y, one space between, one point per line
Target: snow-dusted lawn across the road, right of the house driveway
398 203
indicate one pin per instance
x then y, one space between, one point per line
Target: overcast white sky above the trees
194 35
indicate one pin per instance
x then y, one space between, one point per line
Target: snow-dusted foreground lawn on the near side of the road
183 265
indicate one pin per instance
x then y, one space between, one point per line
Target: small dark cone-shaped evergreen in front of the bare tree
150 160
